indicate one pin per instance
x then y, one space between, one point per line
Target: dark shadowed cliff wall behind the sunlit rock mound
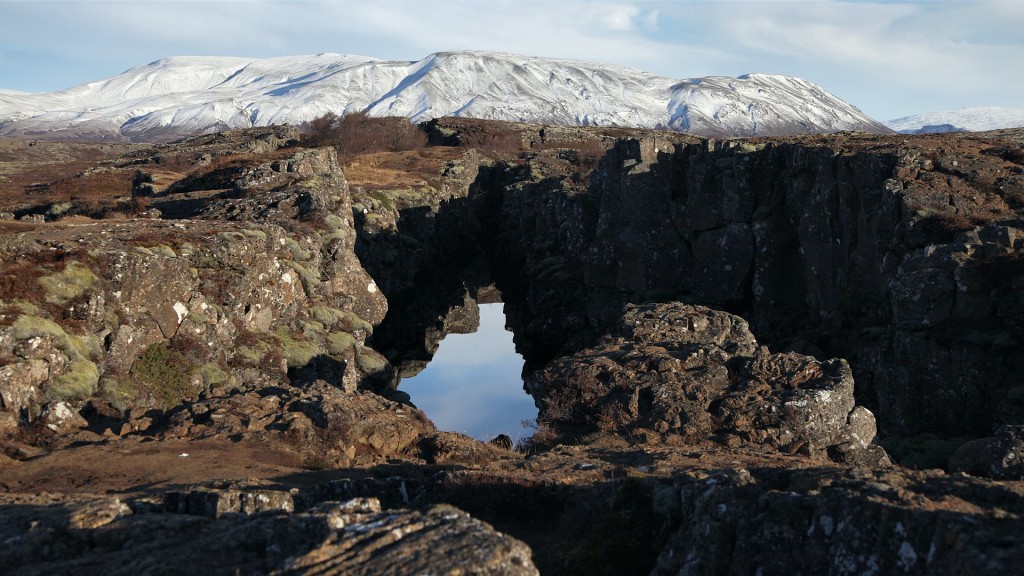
902 256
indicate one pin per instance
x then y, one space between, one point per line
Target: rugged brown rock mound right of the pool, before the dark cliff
682 375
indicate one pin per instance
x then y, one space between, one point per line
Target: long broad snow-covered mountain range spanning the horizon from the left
186 96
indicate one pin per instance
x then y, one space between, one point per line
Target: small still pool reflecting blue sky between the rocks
474 385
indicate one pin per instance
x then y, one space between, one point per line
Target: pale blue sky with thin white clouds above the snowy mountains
890 59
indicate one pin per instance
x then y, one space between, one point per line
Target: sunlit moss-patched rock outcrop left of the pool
261 285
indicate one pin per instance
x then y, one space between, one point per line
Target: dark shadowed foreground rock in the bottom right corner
832 522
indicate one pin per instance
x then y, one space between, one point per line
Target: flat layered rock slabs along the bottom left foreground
352 538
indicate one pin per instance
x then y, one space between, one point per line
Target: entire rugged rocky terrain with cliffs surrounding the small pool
708 326
